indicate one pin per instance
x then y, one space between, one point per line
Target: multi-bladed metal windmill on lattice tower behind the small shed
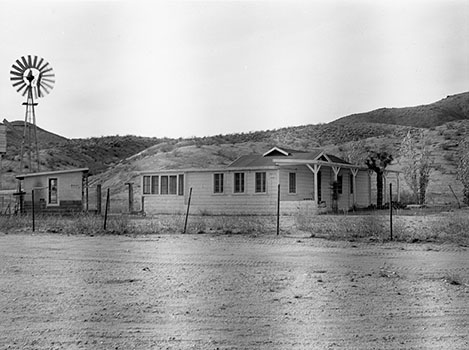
34 78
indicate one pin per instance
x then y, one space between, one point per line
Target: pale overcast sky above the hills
194 68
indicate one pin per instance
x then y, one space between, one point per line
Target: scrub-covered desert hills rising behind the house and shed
115 160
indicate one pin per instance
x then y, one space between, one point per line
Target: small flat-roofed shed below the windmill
55 192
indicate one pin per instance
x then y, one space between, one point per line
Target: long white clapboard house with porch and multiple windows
310 182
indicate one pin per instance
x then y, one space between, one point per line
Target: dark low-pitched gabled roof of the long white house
267 159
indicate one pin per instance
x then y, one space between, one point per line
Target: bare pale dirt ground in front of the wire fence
230 292
